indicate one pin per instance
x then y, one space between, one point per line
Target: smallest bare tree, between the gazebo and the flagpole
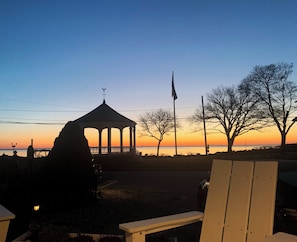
156 124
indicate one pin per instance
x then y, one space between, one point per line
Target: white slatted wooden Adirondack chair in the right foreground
239 207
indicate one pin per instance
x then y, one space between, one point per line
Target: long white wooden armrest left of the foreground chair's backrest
154 225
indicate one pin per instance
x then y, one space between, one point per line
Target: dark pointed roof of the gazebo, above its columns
104 117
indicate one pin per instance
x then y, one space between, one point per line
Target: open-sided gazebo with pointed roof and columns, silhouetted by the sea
104 117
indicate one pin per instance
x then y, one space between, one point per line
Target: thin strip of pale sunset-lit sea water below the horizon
152 150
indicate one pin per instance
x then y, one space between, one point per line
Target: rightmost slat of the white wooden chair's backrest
263 201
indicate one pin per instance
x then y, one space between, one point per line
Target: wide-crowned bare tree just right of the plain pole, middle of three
232 112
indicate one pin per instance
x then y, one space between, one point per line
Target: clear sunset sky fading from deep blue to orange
57 55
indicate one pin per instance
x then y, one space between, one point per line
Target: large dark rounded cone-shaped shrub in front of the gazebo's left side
68 169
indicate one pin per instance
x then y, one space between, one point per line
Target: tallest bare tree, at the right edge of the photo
277 94
